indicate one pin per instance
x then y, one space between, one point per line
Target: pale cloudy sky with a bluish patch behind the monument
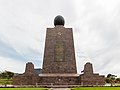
95 23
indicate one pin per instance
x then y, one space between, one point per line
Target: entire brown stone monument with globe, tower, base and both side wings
59 63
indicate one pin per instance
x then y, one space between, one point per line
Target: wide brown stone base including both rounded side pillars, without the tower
88 78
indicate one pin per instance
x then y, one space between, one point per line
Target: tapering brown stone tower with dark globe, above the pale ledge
59 53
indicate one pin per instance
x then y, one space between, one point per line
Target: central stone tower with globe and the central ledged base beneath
59 63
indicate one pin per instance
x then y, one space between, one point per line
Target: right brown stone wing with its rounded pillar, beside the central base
90 78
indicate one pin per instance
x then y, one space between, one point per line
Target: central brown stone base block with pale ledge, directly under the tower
59 79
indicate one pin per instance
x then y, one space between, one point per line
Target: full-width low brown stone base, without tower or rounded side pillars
52 80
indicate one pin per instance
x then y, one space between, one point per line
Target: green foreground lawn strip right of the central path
97 88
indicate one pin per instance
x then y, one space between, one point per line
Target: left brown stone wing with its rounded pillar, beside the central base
28 77
